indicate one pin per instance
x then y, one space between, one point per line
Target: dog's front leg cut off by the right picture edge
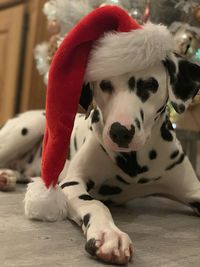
182 183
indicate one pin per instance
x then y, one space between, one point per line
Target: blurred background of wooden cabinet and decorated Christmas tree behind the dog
32 30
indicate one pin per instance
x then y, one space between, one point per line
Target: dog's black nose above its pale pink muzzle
121 135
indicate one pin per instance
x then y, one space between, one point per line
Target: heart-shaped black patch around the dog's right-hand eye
146 87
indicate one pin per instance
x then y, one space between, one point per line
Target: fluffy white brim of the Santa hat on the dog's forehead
118 53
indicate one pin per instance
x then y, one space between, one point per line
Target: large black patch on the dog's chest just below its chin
129 164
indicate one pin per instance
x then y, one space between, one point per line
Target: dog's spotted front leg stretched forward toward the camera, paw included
104 239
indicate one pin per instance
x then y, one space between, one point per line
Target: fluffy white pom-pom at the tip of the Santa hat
45 204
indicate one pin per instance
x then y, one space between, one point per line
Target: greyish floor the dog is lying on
165 234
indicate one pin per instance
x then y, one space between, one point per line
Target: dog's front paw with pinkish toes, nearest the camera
110 245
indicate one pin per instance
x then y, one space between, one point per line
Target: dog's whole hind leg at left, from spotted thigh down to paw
18 137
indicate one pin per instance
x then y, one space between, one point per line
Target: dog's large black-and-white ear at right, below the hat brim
184 81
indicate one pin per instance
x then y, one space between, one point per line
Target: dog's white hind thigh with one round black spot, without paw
19 135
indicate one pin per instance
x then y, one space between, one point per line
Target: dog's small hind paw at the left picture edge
7 180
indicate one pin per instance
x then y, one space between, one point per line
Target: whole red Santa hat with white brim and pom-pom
107 42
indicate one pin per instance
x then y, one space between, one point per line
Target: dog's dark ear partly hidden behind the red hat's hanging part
86 98
